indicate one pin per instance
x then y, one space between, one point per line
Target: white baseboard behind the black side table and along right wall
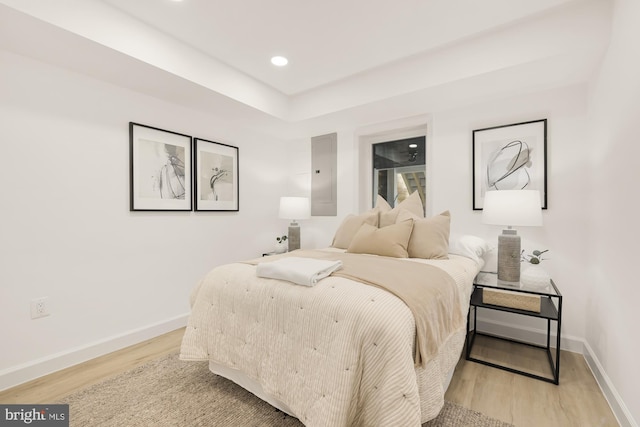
574 345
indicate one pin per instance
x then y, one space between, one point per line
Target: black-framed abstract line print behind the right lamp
510 157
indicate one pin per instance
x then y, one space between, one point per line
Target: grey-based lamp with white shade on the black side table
511 208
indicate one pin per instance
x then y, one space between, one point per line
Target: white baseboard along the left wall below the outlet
21 374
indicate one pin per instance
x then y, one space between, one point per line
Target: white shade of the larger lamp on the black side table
512 208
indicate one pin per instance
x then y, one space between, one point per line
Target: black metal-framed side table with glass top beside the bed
550 309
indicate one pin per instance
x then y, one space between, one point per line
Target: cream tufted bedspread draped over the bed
337 354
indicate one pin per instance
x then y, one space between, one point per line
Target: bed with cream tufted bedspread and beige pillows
342 352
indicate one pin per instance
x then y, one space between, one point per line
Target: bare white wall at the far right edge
611 323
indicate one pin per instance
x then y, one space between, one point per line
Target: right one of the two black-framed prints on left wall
216 176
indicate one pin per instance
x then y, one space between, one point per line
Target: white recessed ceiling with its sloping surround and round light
350 61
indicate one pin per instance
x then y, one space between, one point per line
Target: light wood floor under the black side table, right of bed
524 401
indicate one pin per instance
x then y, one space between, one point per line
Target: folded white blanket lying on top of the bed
302 271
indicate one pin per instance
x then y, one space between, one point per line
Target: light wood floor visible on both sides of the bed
513 398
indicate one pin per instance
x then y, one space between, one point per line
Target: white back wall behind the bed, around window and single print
450 170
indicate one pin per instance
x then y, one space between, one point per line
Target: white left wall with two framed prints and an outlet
113 277
